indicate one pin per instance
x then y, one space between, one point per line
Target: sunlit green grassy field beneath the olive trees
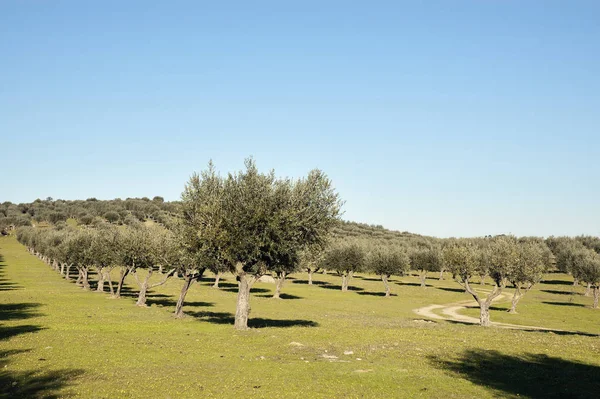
57 340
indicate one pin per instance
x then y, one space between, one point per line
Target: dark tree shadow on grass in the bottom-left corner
36 384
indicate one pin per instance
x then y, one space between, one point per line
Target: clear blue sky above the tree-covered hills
437 117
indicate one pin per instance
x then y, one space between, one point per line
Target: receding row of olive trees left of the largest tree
140 251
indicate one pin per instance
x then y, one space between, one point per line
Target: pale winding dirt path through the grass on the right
451 312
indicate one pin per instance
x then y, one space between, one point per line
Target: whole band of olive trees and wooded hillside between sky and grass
251 224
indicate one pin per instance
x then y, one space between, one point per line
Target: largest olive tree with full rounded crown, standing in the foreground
255 221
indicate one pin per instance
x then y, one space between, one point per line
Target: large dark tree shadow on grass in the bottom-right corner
528 375
